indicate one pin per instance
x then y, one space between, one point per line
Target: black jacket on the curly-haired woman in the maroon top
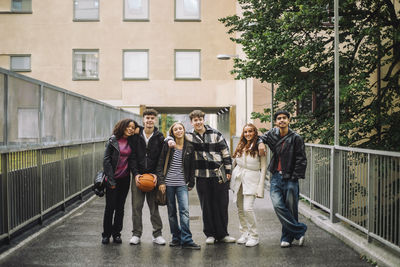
111 157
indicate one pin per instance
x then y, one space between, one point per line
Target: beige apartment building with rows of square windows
132 53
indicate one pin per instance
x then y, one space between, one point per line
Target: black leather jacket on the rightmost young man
290 149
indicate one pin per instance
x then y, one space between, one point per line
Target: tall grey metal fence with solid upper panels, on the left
51 145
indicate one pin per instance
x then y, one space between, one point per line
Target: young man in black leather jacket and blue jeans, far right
288 164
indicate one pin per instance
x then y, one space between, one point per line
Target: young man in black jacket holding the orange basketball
148 145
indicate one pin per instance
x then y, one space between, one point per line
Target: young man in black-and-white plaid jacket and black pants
211 152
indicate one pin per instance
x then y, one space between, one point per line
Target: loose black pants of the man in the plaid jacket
214 201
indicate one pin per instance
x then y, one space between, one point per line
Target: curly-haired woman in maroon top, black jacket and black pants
117 164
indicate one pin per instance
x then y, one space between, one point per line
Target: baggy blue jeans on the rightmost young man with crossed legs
285 199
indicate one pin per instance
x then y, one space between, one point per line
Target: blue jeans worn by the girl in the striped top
180 233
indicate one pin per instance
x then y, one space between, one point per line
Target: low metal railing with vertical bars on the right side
358 186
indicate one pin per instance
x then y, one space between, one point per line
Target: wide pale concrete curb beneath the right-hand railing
372 251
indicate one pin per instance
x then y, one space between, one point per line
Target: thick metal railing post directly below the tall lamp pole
334 184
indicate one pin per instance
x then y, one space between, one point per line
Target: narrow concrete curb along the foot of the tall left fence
45 228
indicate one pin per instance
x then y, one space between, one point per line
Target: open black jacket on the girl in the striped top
187 160
